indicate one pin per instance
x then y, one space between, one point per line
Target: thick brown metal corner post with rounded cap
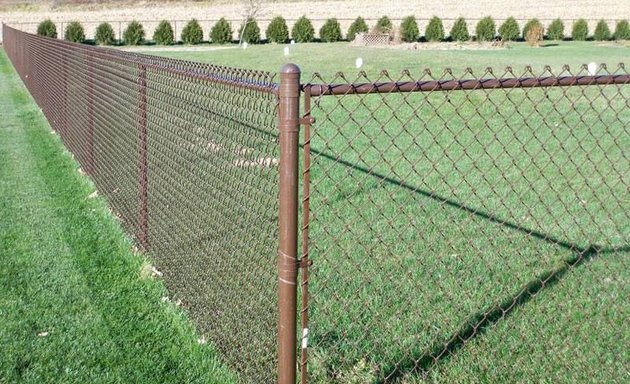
289 109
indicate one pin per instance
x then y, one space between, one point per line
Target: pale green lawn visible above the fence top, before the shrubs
328 59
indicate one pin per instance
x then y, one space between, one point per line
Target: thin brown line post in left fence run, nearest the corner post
142 154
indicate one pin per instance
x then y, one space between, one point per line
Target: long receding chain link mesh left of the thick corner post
186 155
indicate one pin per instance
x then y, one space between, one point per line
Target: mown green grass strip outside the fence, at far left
77 304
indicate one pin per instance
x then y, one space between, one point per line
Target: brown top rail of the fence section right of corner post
471 84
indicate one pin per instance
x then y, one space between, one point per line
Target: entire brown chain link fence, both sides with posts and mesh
452 228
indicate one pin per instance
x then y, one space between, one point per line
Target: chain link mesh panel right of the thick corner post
441 205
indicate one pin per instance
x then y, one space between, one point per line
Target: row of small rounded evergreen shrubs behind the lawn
303 31
